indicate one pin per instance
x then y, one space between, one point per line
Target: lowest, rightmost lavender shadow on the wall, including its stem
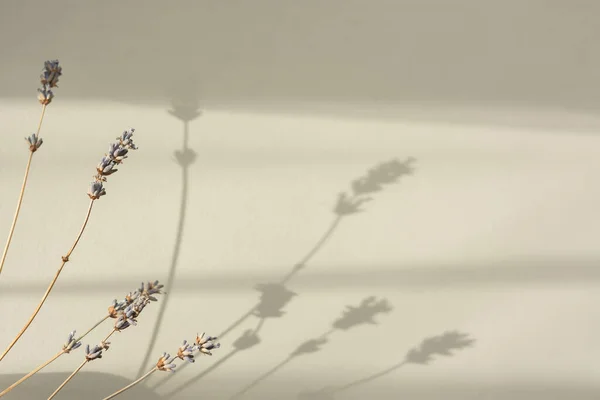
442 345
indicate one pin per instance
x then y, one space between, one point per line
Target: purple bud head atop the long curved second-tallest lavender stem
117 152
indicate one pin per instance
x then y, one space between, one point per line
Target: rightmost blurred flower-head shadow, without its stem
442 345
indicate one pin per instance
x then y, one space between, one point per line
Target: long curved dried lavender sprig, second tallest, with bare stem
96 190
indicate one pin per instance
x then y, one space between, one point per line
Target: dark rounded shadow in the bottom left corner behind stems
82 386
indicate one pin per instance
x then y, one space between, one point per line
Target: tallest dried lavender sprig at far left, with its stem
49 78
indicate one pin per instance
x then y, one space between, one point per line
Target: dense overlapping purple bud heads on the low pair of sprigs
126 312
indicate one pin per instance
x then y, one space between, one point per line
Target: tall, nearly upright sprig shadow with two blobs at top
185 108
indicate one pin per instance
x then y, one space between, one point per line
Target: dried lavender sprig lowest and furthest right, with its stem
166 363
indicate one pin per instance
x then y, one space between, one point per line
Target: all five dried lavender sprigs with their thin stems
126 312
